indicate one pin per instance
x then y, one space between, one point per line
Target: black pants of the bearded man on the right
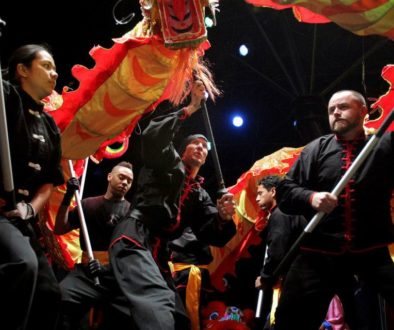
313 279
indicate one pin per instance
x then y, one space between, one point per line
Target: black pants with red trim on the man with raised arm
154 302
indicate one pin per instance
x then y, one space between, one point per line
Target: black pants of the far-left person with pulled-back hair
30 295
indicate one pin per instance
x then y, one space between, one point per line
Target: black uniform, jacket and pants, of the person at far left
26 278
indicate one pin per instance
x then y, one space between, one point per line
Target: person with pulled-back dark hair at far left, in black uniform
30 294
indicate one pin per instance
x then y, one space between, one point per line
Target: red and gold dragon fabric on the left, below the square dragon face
151 63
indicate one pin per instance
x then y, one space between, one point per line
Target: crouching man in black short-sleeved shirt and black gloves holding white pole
102 213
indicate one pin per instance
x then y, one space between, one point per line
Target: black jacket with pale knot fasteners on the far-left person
34 141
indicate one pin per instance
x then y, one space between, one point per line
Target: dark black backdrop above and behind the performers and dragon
290 72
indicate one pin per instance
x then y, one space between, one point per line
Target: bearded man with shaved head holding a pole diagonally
353 239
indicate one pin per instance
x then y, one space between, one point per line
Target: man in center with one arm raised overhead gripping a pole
168 199
